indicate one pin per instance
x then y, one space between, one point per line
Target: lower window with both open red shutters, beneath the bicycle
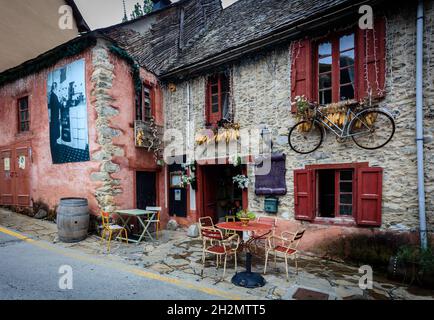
345 191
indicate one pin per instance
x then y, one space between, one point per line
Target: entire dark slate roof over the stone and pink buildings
244 21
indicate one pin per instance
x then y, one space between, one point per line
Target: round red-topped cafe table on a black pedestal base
248 278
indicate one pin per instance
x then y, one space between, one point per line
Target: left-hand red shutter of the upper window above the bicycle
301 73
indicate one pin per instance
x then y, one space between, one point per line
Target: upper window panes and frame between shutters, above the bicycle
336 64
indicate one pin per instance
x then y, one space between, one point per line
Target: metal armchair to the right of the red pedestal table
286 246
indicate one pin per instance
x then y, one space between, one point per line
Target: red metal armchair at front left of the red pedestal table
215 243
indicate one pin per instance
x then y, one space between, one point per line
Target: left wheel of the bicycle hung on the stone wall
305 137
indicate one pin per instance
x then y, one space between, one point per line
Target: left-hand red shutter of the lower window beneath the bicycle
303 192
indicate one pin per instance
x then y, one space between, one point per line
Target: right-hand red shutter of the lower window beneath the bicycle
369 196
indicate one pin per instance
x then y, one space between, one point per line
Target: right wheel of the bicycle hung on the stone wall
372 129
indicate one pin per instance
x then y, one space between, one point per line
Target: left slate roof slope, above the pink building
157 47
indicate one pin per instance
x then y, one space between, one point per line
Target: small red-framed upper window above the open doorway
217 103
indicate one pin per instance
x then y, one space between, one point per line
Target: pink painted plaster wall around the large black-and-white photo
51 182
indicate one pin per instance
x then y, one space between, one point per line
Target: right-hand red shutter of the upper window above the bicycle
371 59
